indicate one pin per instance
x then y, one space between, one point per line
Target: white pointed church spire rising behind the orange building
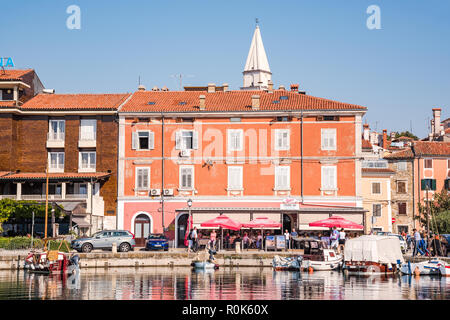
256 71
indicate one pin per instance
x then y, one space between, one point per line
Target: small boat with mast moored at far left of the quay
52 261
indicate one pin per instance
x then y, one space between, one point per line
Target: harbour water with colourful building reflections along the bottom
223 284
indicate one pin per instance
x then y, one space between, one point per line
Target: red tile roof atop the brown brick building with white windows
75 101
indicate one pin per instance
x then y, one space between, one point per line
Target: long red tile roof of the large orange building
188 101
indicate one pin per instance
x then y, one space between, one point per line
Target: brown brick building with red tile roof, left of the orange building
75 135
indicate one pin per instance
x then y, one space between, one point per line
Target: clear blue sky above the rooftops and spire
399 72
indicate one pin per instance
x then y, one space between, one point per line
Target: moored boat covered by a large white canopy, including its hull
372 254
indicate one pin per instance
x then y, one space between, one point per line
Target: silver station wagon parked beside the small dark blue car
104 240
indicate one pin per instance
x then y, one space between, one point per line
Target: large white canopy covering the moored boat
380 249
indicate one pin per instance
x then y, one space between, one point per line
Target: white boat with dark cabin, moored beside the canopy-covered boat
318 256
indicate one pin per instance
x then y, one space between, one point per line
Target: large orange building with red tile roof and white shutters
278 153
